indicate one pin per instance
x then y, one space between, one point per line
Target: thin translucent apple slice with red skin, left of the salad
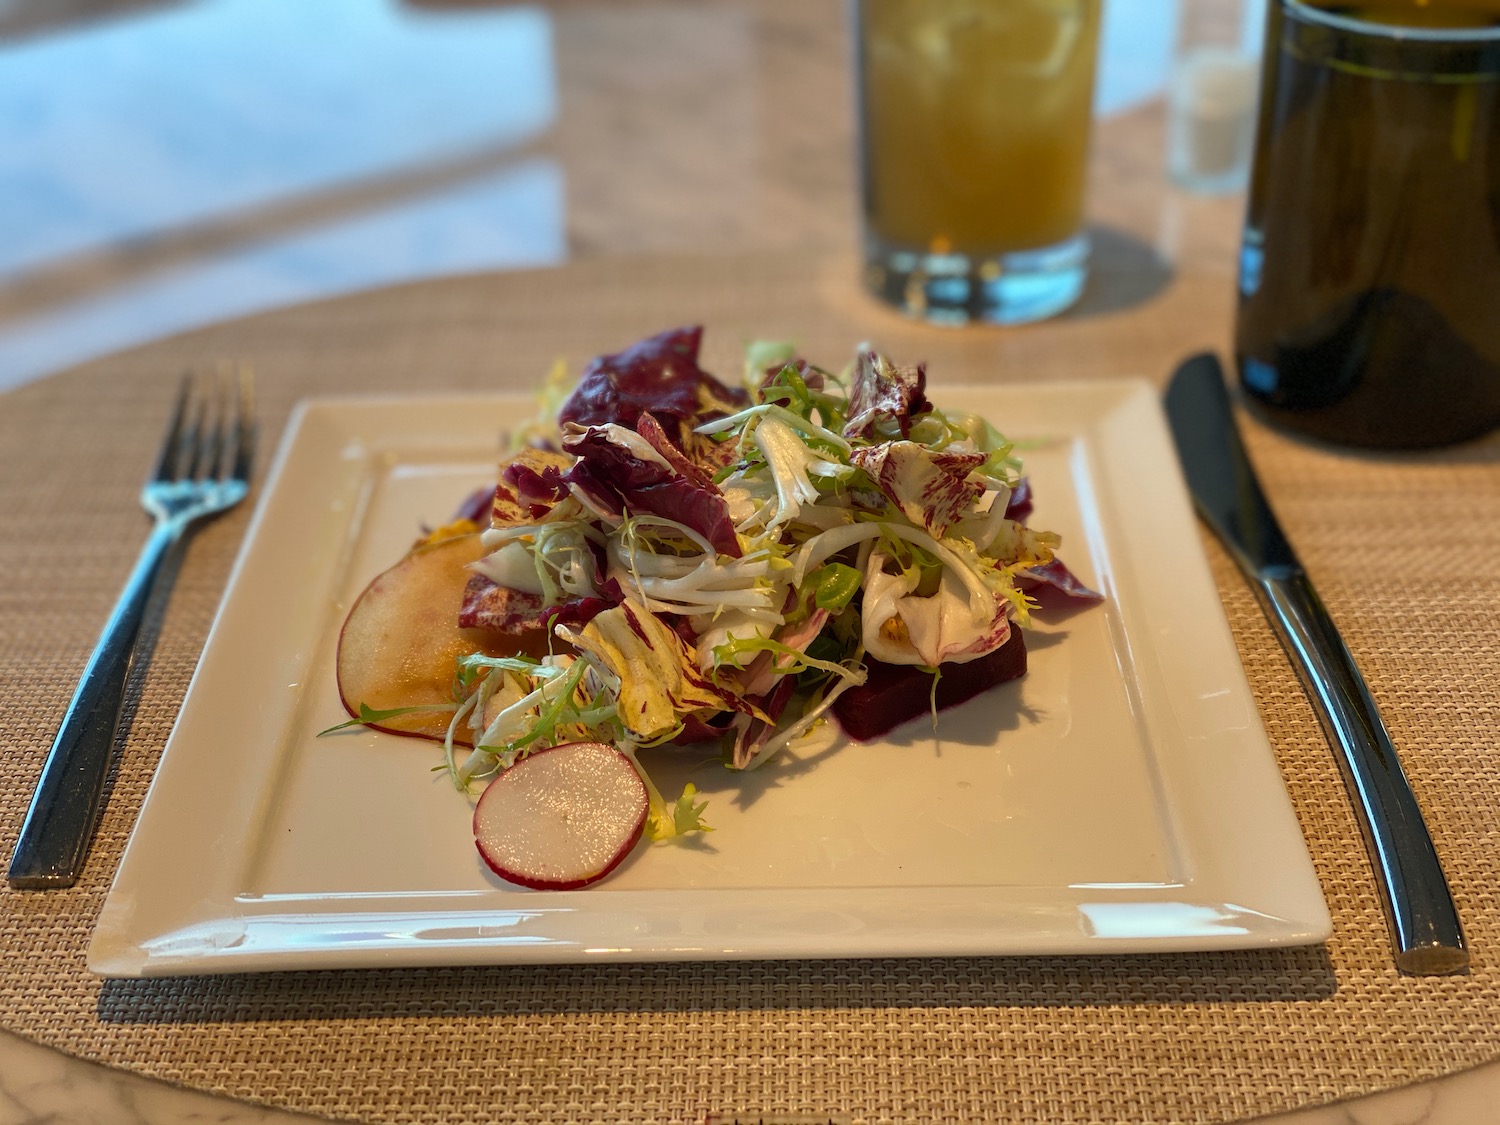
401 641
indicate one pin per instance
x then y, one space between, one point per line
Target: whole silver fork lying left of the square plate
202 470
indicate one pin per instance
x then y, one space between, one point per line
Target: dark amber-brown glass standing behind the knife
1370 272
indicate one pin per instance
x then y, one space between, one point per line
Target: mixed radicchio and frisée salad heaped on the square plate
671 560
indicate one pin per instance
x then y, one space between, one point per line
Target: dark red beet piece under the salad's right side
896 694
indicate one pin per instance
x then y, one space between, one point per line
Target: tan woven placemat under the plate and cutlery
1405 551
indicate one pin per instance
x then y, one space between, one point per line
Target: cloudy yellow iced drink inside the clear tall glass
977 122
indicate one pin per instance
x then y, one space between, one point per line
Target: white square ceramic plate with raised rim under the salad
1120 799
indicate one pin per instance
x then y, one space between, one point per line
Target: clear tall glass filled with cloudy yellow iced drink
976 121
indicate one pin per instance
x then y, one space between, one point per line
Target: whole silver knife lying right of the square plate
1426 932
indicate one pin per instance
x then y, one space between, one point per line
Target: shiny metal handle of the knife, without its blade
1426 932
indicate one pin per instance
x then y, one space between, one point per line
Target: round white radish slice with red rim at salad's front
563 817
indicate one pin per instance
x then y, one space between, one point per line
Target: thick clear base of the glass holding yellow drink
958 289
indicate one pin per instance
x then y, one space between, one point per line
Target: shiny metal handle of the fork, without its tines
61 821
